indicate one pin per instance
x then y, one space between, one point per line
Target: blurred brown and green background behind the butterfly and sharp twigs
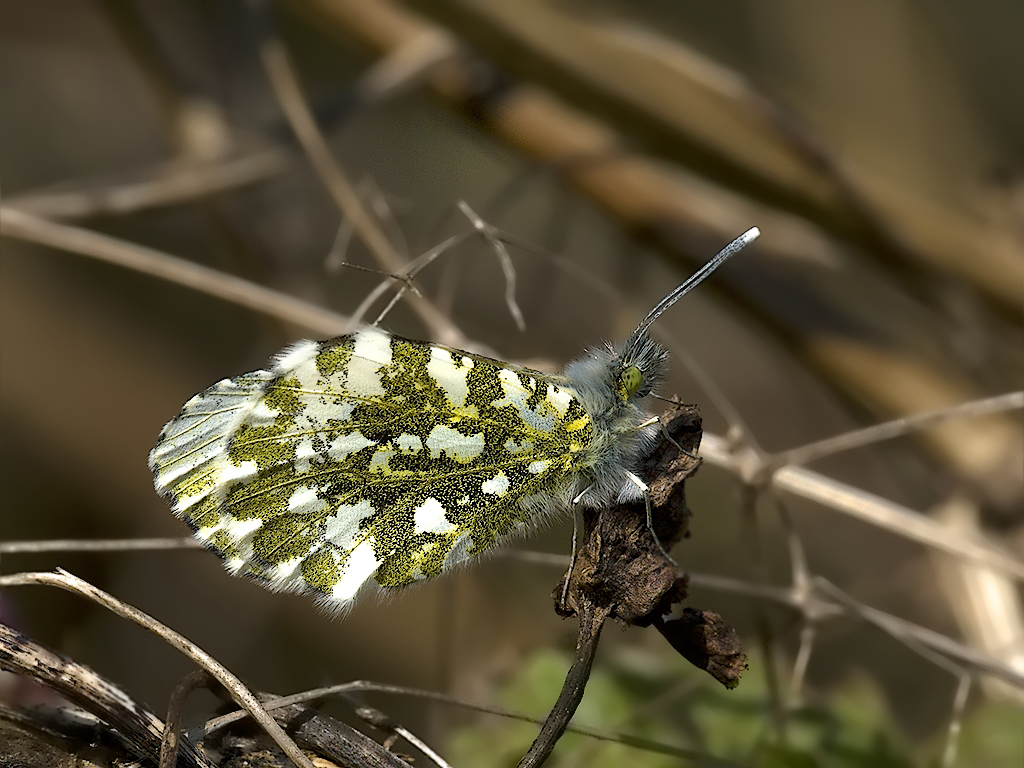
877 145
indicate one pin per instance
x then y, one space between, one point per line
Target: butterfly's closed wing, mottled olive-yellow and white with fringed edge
370 456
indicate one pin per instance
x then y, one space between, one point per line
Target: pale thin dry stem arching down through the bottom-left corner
242 696
